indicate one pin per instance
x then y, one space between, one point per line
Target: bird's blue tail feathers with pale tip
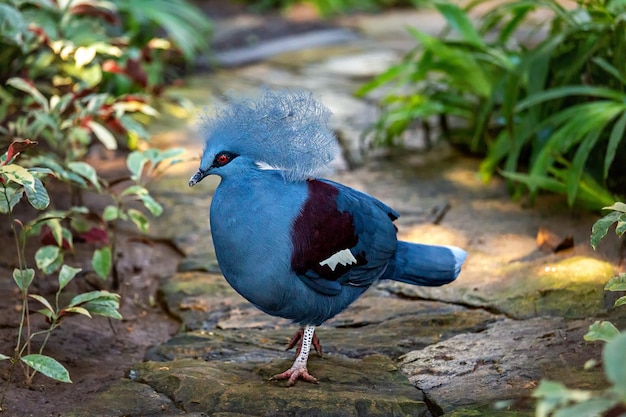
426 265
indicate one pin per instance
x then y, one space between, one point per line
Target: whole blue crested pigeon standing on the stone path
295 246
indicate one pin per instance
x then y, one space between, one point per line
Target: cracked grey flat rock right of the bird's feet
506 361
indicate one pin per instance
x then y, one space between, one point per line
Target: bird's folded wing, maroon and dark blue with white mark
342 237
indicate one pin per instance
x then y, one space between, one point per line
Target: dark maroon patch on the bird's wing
320 231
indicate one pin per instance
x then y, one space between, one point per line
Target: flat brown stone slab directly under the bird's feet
368 387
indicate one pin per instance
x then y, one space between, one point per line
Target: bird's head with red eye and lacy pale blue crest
282 130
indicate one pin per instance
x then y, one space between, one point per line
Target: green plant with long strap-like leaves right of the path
520 105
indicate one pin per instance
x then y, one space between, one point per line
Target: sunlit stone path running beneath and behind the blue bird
477 347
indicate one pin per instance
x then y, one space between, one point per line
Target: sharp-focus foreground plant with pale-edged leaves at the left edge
17 181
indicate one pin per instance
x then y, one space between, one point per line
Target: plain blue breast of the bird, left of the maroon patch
251 227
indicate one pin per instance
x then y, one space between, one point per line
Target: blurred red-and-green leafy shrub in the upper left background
79 84
